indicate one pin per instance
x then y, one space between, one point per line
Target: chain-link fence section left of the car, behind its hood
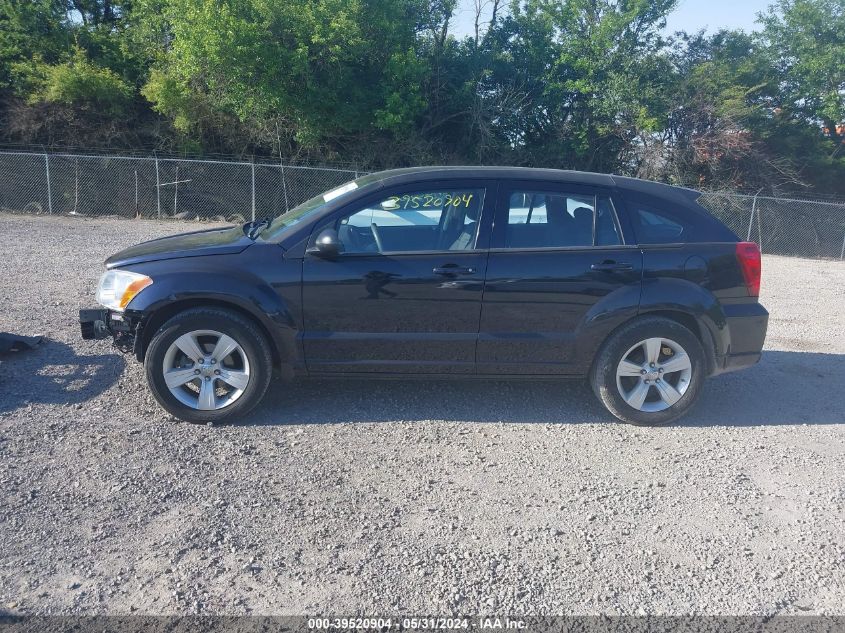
69 184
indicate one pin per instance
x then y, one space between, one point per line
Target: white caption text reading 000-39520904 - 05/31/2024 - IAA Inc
418 623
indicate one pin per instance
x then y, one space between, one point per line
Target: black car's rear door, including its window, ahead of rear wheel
559 276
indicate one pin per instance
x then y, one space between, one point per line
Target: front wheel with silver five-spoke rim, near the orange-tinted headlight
206 396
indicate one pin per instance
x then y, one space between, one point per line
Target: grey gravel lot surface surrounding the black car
401 497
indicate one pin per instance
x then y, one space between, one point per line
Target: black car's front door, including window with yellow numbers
405 293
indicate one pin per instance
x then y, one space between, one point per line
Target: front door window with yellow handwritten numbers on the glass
442 220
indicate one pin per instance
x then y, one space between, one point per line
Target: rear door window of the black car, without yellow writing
538 219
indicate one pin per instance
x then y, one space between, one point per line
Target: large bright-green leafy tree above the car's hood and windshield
330 68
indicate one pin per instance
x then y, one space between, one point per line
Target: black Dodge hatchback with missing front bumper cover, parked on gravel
445 272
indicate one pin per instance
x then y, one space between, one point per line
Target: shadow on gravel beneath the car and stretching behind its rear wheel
785 388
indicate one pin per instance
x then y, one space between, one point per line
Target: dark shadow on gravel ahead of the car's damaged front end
53 373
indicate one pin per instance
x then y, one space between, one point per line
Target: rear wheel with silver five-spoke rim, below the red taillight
638 392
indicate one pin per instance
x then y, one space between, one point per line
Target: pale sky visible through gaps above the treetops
691 15
